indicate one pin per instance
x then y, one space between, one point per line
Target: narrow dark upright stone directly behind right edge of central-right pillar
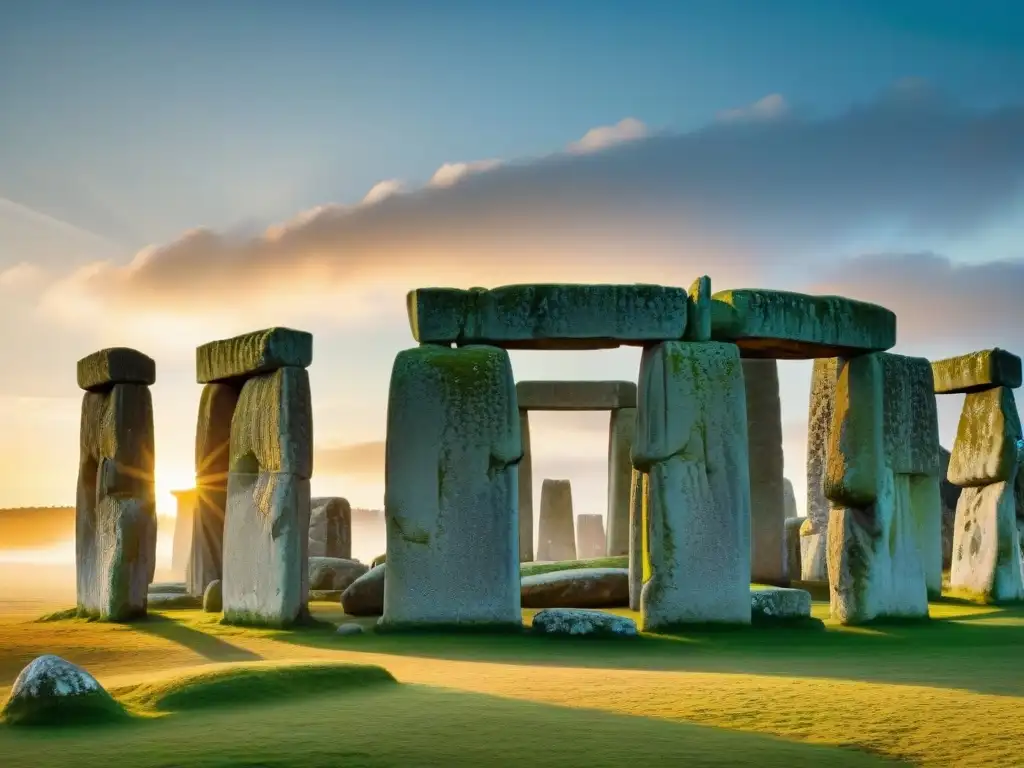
764 430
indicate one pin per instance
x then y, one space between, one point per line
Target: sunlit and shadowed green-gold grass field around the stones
947 693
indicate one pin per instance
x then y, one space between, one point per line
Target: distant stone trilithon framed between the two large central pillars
620 398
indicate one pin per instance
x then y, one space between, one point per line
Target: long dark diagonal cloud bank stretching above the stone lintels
739 200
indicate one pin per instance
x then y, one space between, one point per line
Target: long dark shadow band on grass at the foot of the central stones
975 655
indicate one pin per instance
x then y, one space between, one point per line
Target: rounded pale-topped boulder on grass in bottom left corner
54 692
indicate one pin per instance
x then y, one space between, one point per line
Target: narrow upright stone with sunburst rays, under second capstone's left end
214 432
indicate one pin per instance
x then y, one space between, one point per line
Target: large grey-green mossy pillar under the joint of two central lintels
692 440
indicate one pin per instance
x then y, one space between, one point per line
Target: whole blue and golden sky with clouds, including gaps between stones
177 174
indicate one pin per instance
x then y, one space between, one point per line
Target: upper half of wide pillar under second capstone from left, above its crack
273 426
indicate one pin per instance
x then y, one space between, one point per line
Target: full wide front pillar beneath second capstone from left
267 525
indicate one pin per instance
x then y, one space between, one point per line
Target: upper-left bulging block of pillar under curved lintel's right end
856 458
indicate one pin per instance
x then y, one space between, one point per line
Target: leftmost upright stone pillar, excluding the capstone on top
116 521
